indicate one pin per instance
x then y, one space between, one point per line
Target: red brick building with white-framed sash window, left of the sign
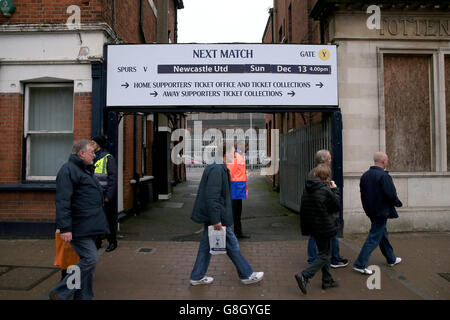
52 85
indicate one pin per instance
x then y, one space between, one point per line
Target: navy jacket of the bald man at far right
378 194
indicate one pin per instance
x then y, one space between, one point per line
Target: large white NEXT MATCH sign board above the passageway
221 75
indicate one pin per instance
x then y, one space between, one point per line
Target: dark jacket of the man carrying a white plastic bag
213 202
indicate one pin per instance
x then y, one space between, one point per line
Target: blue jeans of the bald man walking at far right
378 236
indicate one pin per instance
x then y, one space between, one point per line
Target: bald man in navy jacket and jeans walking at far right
379 199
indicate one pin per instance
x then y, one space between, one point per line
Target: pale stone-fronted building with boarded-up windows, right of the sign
393 86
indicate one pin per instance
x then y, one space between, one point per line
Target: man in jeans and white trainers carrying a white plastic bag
213 207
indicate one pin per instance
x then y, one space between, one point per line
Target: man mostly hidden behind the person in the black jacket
324 156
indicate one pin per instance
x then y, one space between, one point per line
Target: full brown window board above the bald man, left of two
407 112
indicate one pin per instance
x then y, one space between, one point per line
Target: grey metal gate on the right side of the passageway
297 150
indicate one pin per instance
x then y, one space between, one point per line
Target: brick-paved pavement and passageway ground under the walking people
158 248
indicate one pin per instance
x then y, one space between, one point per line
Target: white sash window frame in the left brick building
27 133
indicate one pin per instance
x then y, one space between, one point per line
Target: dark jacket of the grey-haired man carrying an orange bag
79 200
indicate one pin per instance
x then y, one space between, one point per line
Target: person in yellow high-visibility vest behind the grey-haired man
106 173
